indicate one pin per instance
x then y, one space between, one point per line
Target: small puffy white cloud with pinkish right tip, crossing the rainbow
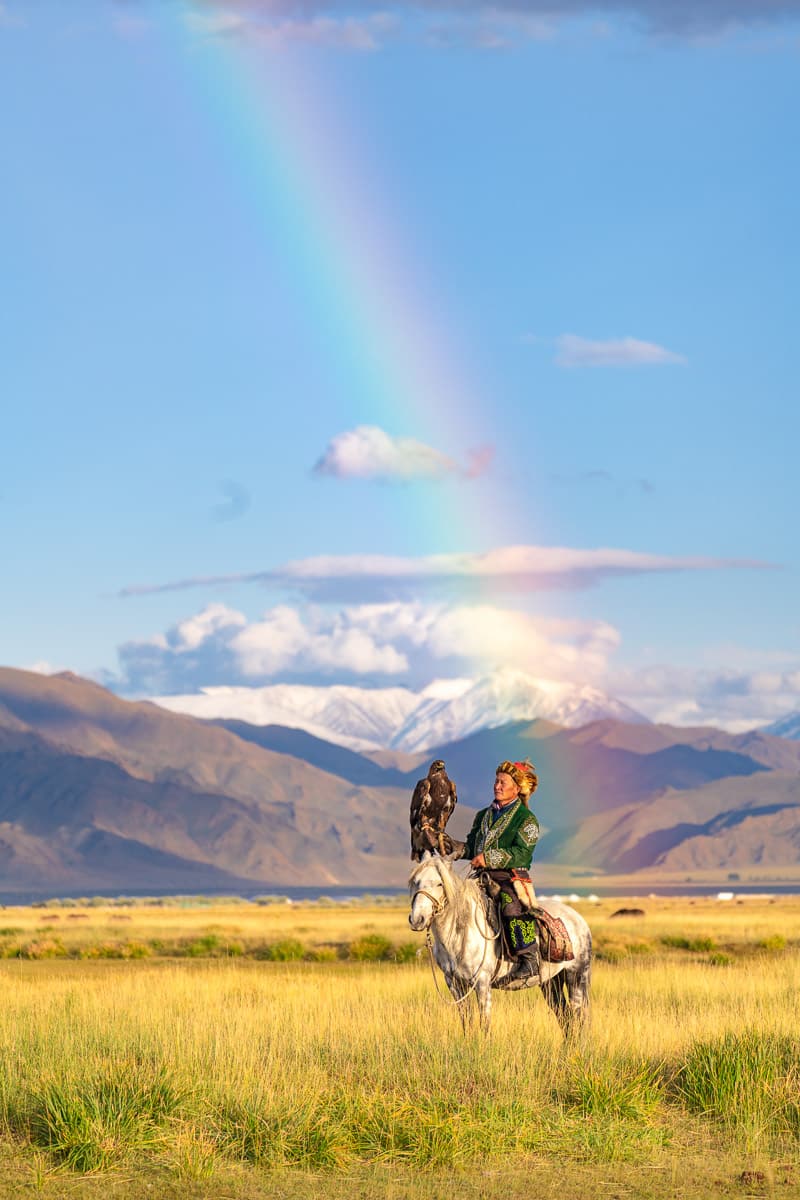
370 453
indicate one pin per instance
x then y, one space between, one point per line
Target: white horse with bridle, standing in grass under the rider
466 944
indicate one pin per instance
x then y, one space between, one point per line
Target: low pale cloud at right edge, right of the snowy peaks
733 700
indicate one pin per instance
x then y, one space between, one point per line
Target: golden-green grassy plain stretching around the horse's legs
234 1051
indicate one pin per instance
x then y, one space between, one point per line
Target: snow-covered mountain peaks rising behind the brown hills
400 719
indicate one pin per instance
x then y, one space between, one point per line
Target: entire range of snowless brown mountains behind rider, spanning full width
101 794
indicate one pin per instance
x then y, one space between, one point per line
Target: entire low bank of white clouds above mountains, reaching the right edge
417 644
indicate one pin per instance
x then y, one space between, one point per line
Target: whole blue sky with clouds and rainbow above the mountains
380 345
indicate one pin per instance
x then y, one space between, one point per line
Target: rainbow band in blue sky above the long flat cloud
299 163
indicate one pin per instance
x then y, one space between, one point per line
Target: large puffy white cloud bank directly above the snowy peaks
396 643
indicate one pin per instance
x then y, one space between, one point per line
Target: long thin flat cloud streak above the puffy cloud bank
509 568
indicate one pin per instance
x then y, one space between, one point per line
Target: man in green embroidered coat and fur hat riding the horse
502 844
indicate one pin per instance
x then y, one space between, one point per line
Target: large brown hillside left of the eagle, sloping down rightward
171 785
